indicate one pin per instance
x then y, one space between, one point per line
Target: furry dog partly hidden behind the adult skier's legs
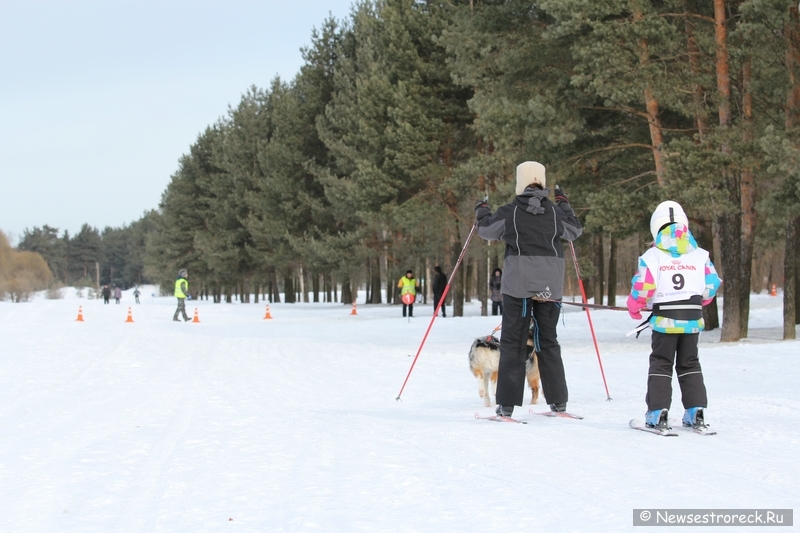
484 359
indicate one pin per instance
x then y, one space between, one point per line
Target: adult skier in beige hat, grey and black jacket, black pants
533 275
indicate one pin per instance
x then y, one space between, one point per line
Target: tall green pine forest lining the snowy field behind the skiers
371 160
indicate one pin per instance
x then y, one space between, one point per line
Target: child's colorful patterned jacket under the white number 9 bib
675 240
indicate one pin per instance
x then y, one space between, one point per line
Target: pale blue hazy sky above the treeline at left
99 99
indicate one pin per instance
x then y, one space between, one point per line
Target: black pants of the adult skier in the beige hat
519 314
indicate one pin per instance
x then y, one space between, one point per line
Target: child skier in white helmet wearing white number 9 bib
675 280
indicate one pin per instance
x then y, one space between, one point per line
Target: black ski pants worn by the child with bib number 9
690 376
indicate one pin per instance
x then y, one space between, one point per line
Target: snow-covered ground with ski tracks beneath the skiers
291 424
